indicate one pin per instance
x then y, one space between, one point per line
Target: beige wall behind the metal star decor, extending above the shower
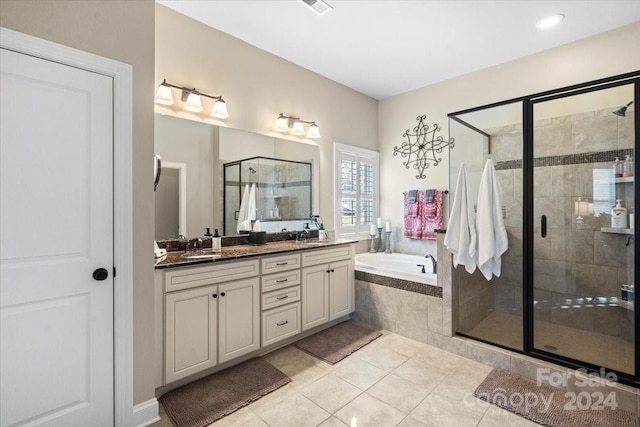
600 56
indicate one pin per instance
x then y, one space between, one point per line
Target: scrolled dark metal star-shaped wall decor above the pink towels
424 148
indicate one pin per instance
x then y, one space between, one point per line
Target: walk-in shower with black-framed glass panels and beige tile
565 293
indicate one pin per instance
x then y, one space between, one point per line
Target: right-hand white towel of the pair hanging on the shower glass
492 235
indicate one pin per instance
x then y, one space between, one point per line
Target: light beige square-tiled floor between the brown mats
394 381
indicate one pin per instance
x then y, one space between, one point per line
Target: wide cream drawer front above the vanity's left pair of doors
191 277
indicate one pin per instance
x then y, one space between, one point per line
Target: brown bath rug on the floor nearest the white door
204 401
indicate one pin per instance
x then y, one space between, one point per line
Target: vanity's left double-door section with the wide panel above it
211 319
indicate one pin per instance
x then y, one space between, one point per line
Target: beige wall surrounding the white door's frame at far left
123 31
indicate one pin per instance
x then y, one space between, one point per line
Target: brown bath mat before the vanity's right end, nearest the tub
337 342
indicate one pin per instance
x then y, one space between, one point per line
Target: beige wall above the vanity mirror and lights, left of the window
257 86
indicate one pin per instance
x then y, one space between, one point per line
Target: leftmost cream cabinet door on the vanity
190 332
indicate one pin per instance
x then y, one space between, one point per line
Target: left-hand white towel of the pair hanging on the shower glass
460 239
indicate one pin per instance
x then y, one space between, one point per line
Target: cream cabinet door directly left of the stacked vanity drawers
239 305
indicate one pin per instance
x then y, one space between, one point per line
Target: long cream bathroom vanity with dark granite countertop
249 300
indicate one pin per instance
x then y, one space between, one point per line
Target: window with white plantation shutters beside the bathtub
356 193
